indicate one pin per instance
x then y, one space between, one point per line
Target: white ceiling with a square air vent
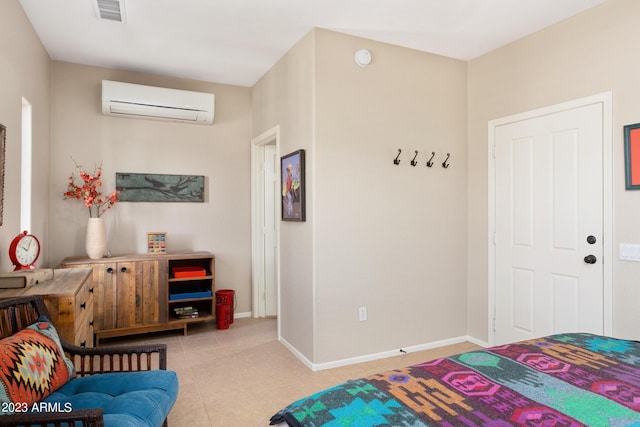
237 41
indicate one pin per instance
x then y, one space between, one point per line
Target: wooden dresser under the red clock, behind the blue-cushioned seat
69 299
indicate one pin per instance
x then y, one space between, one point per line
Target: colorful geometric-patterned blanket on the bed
560 380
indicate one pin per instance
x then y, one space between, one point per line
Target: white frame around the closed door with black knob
605 99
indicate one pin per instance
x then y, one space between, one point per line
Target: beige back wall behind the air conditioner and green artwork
220 152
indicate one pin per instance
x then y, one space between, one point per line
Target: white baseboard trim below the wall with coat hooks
382 355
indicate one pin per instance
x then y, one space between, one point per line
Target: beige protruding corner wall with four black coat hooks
387 237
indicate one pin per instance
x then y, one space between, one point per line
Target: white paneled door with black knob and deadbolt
549 225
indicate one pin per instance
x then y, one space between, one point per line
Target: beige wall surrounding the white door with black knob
582 56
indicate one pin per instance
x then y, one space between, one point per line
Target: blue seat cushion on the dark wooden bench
128 399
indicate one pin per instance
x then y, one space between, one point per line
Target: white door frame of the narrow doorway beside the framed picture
271 136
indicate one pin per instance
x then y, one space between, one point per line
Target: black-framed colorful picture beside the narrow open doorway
293 186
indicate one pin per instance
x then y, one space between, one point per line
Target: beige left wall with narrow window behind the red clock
24 72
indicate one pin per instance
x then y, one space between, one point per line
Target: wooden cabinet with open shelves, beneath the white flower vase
132 292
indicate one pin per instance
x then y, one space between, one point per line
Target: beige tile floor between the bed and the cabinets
242 375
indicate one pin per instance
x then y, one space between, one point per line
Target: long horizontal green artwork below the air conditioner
144 187
